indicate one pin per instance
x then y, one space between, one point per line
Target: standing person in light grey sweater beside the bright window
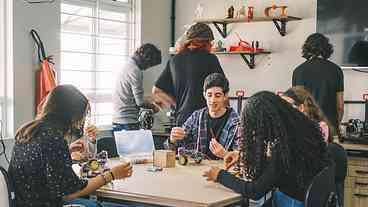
128 95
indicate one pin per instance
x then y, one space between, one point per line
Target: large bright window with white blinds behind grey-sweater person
97 37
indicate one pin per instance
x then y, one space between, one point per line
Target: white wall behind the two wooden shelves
272 72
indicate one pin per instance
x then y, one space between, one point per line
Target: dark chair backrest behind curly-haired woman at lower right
321 191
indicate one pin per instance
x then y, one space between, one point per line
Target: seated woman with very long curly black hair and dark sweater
279 148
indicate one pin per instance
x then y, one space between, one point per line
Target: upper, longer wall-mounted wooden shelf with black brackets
280 23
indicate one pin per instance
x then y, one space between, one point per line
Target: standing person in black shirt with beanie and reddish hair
181 81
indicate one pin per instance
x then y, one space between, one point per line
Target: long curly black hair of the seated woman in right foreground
269 122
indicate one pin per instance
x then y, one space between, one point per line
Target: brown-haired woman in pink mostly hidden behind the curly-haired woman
304 102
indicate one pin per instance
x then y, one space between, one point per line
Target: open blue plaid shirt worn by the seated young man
196 135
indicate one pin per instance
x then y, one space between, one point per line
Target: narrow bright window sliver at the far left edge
6 75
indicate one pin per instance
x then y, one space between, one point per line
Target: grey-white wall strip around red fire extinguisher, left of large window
45 19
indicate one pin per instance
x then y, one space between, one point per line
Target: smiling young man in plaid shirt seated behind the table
211 130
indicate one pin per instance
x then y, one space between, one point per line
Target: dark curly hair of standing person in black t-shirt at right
317 45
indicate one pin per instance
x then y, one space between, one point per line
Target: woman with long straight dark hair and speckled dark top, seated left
41 166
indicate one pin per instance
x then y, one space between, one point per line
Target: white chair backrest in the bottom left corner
7 198
